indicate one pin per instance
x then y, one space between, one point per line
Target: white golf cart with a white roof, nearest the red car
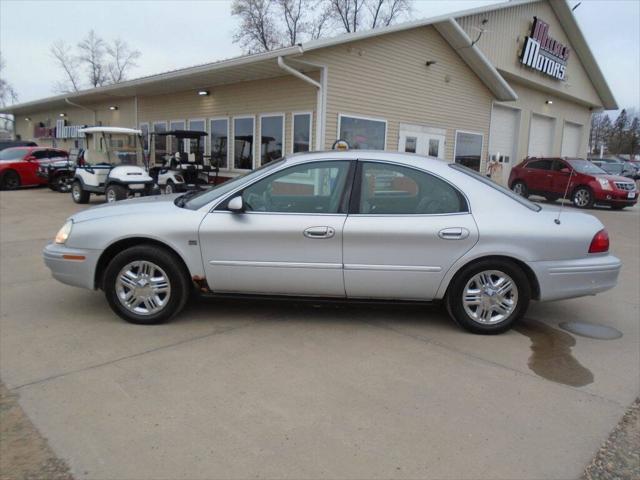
113 164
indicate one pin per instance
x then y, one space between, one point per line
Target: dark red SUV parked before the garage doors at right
582 181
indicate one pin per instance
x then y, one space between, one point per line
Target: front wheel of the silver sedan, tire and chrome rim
146 284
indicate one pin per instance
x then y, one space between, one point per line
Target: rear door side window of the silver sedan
396 190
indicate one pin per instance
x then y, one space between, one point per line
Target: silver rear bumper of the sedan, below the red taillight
576 278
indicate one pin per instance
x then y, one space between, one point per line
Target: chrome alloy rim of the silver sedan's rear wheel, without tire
490 297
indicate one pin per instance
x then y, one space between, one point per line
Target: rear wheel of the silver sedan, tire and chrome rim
488 297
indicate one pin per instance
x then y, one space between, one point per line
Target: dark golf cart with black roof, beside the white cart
185 168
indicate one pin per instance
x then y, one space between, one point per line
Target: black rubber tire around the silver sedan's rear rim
455 293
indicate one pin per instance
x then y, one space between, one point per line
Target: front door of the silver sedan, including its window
288 239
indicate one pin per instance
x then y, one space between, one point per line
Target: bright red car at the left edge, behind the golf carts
19 165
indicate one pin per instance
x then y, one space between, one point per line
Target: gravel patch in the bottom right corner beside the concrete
619 456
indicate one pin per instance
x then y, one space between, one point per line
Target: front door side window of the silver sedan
309 188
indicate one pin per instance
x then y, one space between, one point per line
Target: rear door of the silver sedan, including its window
405 229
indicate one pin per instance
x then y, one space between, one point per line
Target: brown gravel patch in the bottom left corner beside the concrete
24 453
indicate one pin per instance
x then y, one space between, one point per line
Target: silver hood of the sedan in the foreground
152 204
